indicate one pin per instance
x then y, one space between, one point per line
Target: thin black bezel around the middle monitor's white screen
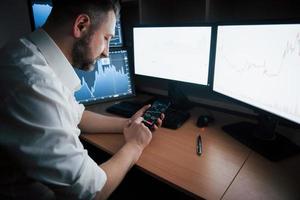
209 78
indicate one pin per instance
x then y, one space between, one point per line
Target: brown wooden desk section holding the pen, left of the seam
171 156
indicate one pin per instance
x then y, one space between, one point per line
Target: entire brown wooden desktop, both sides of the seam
221 171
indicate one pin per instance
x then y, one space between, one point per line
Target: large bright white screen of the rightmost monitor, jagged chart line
260 66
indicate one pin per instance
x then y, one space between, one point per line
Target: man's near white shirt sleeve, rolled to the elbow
43 139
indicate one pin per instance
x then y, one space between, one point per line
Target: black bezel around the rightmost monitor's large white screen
237 101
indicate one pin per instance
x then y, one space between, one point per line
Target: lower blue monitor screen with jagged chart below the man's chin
109 80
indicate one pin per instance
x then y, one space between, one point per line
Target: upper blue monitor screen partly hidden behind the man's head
41 10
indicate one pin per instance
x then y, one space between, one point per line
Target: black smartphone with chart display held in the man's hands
154 112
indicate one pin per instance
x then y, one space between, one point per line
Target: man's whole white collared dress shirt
39 119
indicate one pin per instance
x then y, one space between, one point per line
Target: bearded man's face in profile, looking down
94 44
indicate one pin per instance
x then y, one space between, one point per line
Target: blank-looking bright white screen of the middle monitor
173 53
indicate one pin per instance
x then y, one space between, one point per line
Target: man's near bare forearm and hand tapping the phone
137 137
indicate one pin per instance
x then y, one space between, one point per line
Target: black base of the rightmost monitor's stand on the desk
263 139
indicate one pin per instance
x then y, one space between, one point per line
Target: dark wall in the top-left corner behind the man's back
14 19
